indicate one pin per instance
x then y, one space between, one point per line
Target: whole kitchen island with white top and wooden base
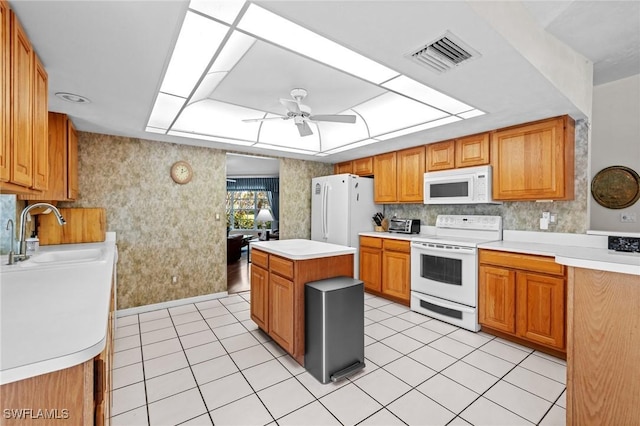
279 271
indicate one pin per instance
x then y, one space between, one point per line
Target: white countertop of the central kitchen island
298 249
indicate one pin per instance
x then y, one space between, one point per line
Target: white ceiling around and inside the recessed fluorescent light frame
116 52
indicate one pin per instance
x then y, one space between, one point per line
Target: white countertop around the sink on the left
54 316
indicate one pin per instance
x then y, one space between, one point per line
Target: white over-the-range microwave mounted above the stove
469 185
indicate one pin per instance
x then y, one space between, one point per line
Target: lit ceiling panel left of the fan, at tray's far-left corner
211 117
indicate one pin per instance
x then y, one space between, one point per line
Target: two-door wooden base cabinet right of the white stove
523 297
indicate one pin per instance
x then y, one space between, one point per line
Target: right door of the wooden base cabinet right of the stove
541 309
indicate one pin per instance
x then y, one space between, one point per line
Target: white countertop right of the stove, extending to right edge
577 250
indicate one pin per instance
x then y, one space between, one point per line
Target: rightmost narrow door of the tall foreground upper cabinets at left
40 132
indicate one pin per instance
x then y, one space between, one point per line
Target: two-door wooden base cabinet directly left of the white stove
385 268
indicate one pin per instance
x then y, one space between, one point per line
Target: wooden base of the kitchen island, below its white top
277 294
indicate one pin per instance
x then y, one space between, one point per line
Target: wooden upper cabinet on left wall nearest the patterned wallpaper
62 161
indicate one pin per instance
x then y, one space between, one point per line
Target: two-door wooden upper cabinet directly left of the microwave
399 176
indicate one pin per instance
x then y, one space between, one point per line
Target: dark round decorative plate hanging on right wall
616 187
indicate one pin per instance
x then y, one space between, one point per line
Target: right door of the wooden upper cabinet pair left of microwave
411 174
